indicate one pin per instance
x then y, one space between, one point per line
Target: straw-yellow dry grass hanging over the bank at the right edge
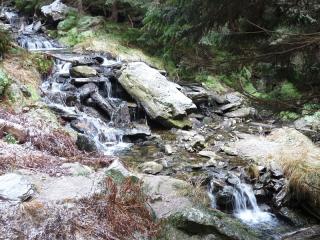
300 160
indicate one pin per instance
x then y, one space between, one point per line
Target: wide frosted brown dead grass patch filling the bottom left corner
120 213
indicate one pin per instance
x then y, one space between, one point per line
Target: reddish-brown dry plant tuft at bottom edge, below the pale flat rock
120 214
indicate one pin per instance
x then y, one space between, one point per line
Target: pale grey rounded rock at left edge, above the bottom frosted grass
15 187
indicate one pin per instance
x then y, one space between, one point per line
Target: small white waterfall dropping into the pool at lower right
246 207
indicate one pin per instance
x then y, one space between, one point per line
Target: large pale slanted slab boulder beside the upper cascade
160 98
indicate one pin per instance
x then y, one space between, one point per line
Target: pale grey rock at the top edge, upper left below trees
56 10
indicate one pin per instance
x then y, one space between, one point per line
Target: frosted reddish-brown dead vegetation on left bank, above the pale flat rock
48 150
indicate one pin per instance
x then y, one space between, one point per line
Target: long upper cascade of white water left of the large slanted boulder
106 130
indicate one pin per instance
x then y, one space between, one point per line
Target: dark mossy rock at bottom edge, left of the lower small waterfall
205 221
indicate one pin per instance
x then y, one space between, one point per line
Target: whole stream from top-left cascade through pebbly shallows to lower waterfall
84 91
